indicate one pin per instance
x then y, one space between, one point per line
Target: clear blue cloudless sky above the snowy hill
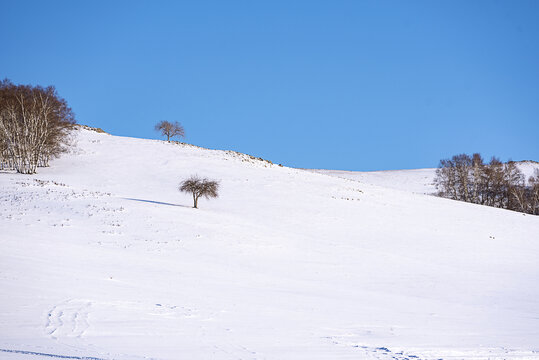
356 85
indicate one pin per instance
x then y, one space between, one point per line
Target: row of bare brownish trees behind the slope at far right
469 178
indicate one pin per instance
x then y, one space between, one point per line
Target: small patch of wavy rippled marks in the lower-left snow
68 319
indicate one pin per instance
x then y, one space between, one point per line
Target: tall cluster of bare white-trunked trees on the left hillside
34 126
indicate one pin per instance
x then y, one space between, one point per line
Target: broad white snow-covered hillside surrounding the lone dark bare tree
102 258
